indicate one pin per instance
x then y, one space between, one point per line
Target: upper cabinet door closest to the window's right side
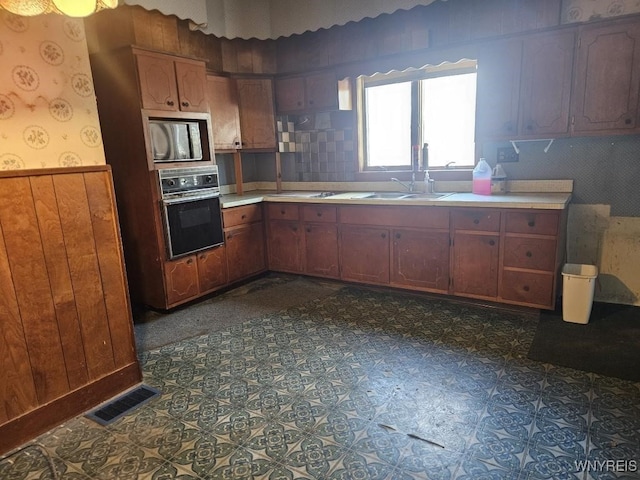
498 94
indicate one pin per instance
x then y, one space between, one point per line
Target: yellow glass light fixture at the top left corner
71 8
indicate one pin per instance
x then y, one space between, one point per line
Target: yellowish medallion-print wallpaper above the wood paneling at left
48 111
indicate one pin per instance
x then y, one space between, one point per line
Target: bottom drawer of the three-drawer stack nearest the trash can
528 287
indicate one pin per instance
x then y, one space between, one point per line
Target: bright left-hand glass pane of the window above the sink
388 110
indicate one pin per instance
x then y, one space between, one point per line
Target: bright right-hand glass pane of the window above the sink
448 119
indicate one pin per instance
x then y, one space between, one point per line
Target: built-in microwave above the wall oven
175 140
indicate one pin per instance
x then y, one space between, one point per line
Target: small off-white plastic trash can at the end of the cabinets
578 283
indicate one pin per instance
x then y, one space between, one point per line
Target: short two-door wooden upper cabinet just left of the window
316 92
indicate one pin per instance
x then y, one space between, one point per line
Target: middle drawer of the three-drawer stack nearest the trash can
533 253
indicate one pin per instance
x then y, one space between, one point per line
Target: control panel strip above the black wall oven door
175 181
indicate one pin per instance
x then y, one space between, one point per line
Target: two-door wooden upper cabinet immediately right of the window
524 87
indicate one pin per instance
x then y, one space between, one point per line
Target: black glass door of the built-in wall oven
192 224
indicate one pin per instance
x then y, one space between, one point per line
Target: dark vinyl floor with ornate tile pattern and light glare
358 385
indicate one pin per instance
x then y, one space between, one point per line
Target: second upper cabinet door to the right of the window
545 93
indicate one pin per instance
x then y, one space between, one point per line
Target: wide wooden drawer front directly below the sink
406 216
